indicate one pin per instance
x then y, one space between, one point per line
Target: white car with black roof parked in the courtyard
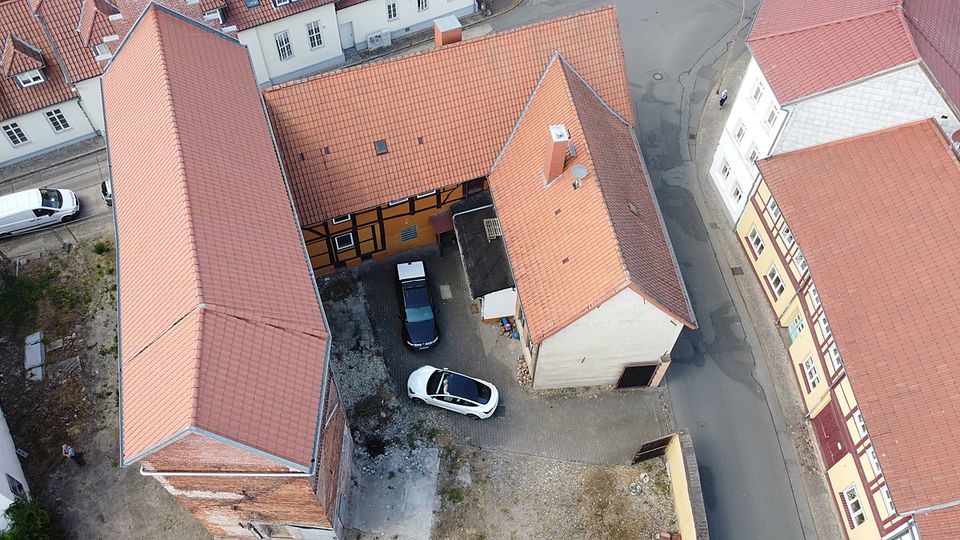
454 391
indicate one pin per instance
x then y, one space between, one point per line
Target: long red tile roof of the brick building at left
221 330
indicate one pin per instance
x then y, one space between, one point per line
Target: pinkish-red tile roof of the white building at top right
809 47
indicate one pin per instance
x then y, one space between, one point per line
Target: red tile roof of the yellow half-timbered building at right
878 218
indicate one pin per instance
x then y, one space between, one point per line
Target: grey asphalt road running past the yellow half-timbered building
719 387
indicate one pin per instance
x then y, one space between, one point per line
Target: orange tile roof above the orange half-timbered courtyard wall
461 101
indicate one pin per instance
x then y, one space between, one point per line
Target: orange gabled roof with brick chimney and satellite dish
573 249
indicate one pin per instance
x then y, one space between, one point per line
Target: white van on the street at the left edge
35 209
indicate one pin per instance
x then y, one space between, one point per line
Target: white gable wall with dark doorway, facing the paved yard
624 330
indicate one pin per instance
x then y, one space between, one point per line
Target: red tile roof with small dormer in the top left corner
26 48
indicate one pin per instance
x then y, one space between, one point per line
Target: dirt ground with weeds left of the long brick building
70 296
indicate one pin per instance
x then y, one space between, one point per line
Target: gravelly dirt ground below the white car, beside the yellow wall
494 495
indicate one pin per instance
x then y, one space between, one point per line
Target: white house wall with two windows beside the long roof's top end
268 67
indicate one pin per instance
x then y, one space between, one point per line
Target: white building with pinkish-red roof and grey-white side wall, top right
878 81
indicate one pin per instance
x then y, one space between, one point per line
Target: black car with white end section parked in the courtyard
420 328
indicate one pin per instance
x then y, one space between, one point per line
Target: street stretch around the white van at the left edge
82 175
